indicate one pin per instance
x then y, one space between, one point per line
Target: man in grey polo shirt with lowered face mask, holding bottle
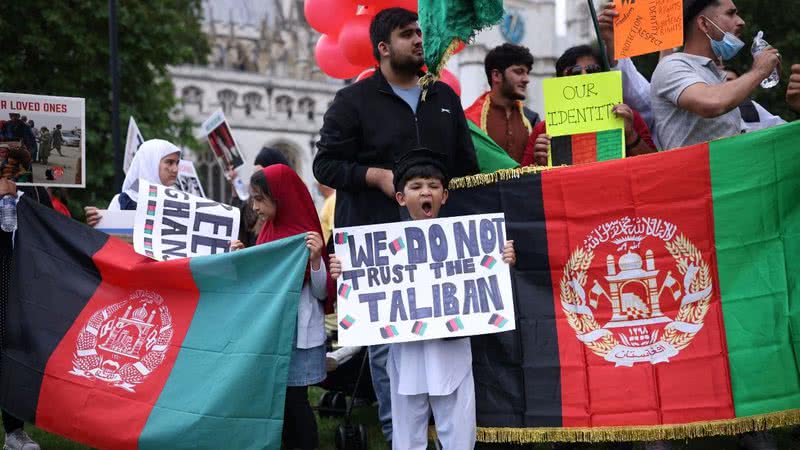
691 101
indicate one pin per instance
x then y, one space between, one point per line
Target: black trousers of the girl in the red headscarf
299 423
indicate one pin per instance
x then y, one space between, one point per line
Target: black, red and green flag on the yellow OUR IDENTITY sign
586 148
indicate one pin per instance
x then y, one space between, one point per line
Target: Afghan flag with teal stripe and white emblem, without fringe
114 350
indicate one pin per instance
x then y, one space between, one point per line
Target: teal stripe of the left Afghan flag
228 384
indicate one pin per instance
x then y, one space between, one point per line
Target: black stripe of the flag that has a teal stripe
52 279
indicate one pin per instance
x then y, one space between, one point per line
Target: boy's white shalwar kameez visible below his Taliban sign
432 375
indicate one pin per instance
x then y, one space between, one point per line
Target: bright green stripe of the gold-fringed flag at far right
756 190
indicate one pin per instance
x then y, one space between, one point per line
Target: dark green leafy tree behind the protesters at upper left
62 48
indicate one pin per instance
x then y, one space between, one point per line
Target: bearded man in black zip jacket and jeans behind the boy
370 125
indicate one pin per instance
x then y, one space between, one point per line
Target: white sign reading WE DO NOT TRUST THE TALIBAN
423 279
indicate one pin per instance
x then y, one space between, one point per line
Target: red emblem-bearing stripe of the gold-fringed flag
587 207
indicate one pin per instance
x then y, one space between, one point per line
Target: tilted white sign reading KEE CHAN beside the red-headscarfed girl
171 224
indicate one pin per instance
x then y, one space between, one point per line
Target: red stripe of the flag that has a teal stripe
97 412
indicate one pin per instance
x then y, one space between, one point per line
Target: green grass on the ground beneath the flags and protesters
787 439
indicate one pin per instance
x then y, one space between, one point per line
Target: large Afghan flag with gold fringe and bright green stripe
656 296
